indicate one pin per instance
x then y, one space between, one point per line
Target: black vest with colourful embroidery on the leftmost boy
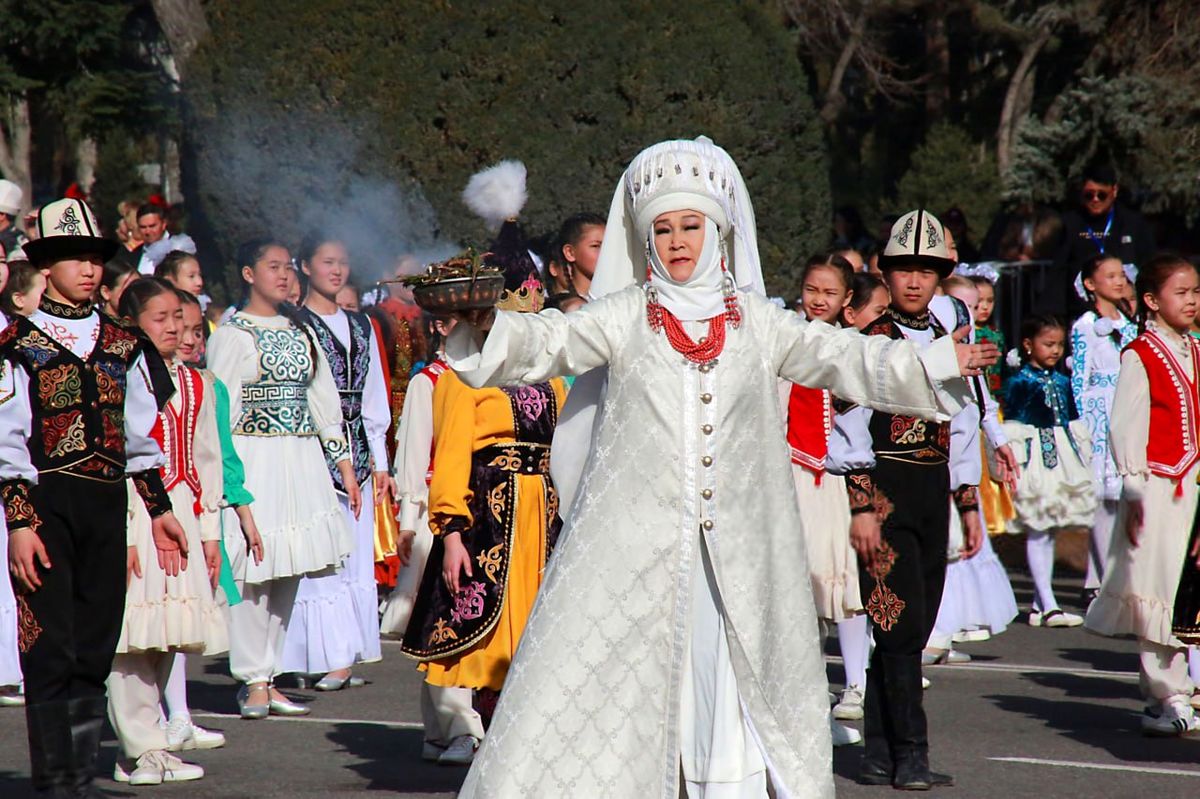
79 406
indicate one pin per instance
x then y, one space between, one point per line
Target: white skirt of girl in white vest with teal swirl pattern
297 510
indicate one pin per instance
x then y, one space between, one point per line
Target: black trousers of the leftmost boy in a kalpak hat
70 627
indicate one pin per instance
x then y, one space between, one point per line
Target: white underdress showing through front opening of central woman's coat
718 752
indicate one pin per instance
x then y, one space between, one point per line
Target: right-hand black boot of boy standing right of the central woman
907 713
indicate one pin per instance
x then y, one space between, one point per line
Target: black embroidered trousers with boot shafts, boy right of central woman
902 593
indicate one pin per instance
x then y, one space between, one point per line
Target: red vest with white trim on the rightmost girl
1173 448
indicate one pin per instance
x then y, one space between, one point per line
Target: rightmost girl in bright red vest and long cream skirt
1157 392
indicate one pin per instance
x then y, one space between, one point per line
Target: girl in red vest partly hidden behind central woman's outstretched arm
825 509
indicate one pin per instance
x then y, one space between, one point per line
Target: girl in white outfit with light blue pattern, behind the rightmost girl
1096 343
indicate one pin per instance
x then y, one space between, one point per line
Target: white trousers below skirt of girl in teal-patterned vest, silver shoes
259 627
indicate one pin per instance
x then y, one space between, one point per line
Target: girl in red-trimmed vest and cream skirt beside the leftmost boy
167 615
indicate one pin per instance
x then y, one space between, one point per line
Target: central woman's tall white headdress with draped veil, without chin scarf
675 176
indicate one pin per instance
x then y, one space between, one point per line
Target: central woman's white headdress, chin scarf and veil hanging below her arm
668 177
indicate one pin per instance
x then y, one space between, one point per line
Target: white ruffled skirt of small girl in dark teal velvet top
1058 495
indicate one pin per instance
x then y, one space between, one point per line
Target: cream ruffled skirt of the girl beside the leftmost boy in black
171 614
